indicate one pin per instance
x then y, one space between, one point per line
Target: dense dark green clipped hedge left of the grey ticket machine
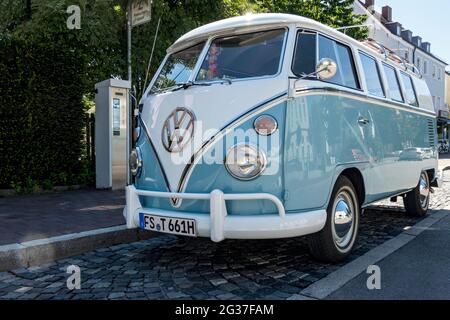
41 114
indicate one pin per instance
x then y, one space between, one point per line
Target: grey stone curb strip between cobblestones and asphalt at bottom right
336 280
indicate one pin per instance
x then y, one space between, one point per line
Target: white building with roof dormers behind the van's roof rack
405 44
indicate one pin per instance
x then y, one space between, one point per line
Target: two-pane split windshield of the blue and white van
249 55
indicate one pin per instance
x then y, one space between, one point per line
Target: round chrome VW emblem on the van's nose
178 129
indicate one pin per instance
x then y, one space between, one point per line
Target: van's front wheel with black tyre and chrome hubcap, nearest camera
336 240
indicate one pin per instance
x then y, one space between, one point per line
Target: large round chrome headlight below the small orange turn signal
245 162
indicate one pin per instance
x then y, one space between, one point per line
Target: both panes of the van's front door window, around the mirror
305 55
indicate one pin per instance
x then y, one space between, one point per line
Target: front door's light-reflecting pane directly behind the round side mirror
346 72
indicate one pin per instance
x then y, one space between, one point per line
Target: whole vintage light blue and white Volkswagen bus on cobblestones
273 126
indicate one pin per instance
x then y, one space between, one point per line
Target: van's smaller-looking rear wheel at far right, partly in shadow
417 200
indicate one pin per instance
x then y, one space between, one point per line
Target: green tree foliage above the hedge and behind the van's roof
102 41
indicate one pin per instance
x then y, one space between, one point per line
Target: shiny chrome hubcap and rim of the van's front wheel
343 219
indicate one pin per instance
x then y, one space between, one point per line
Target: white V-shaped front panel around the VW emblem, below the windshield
216 106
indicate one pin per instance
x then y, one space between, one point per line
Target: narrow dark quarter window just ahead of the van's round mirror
305 54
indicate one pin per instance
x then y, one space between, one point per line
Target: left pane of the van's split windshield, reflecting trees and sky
178 68
